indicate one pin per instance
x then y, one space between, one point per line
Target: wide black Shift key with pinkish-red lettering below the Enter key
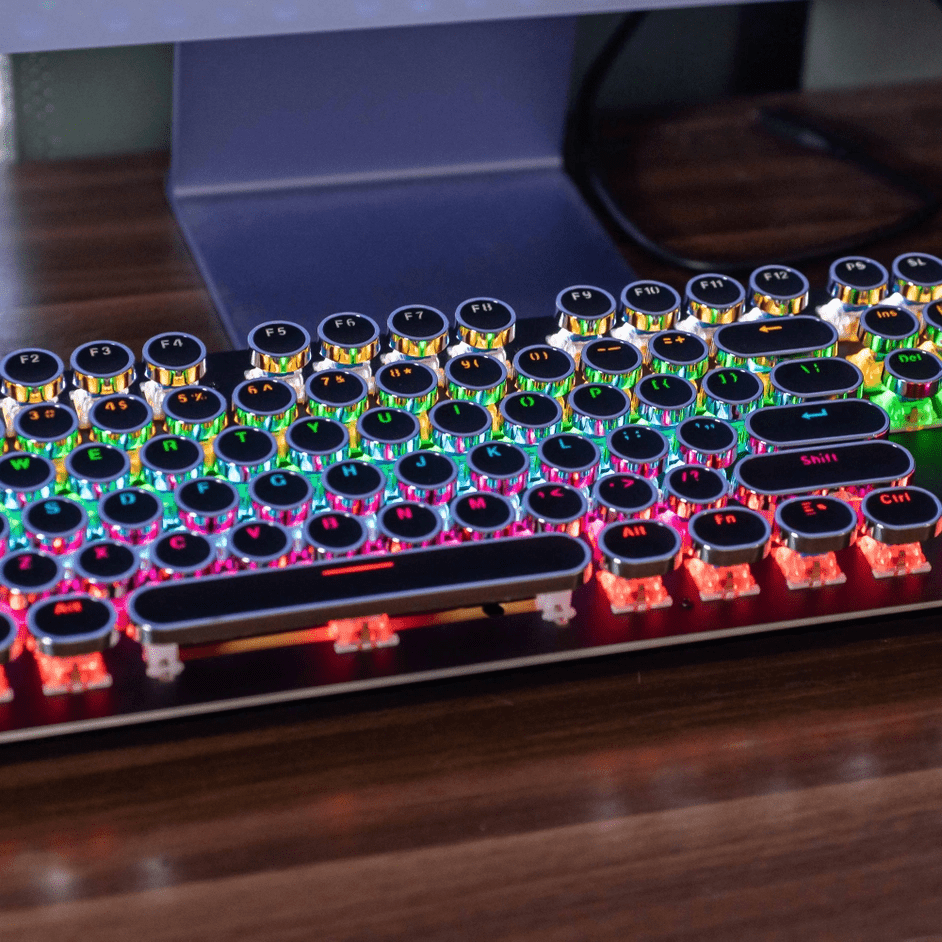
762 479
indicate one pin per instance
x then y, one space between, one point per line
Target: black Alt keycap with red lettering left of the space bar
74 624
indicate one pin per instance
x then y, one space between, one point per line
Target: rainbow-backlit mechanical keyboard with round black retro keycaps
421 497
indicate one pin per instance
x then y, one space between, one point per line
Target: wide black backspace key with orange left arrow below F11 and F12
762 343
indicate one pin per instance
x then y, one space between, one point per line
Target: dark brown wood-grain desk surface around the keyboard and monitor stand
787 787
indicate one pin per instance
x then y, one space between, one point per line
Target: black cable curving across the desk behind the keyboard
581 158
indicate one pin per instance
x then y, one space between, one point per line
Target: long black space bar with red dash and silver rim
266 601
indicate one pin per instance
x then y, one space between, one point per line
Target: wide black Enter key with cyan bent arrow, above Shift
801 426
